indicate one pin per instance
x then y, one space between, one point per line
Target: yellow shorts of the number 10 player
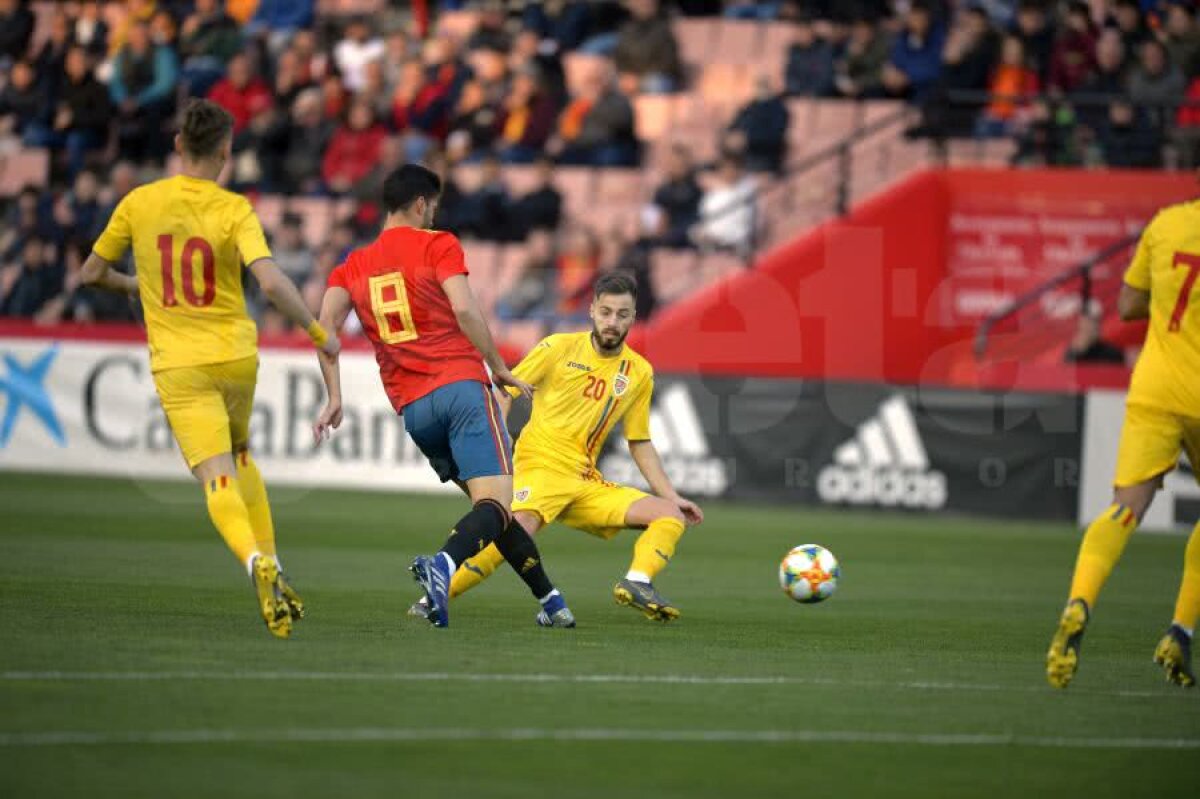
208 407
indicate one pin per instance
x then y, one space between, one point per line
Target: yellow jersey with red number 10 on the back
190 241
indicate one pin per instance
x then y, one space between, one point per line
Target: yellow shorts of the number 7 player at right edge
1151 442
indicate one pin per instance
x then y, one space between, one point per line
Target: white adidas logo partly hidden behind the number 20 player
679 435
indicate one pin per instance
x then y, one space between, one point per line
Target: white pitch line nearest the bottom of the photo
412 735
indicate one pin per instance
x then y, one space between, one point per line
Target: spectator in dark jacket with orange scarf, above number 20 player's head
597 128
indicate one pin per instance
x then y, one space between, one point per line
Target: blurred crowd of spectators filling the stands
326 103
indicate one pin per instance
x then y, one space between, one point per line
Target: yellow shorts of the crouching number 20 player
589 504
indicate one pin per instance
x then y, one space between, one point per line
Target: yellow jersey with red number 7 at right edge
1168 265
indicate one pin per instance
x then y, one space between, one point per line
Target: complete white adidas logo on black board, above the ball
885 465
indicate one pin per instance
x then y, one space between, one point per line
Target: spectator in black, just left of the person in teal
81 122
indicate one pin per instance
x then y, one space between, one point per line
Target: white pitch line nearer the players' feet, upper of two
535 678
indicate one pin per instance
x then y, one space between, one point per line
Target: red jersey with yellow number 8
395 285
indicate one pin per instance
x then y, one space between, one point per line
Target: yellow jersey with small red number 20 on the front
580 398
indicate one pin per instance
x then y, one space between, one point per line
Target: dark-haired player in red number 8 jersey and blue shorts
411 293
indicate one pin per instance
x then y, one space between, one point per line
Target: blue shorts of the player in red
461 431
